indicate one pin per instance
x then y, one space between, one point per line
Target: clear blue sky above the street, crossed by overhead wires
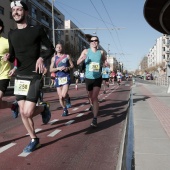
119 24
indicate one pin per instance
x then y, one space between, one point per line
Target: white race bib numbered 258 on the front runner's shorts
21 87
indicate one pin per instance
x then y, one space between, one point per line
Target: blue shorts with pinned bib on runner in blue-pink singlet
61 81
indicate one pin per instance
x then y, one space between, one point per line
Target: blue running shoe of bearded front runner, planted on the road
34 144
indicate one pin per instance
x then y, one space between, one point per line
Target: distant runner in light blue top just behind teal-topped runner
105 76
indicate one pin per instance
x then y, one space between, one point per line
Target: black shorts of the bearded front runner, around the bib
34 89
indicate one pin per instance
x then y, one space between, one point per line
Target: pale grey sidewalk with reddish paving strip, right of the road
151 113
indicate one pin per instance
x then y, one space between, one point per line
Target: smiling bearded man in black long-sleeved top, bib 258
25 44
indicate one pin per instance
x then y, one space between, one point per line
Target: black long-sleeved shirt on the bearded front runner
25 45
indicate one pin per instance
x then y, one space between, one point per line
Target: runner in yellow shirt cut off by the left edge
5 68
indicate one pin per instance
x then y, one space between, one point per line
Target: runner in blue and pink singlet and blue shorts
61 64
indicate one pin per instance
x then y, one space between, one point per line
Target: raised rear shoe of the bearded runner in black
46 114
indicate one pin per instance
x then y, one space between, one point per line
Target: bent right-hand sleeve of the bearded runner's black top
49 51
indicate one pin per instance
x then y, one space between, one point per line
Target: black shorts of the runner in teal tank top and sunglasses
90 83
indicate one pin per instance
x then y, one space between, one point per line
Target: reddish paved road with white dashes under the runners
68 142
